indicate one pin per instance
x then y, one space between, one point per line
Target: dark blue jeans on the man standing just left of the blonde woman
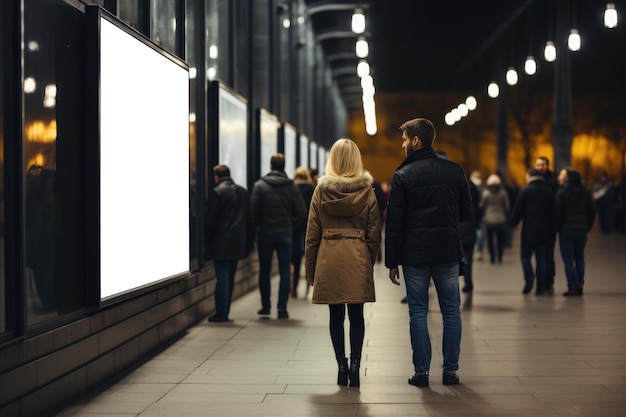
266 246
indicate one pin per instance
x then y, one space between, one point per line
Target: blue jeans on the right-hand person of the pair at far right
572 244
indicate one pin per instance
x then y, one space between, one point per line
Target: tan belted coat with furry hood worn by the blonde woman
342 240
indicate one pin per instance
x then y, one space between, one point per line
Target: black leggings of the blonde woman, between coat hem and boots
357 329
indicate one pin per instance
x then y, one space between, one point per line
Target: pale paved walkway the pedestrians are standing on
520 355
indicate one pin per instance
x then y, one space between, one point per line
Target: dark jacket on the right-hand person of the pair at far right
573 208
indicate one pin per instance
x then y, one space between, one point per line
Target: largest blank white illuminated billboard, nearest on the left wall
144 162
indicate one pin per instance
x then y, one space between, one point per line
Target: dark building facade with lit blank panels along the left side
63 330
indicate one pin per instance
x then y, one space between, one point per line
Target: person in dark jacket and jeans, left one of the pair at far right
534 207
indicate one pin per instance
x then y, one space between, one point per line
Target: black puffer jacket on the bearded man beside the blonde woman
429 196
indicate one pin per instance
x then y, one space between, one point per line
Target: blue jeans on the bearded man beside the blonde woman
446 279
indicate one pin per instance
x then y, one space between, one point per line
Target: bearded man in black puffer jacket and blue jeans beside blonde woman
429 195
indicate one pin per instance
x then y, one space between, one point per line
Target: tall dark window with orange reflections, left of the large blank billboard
53 159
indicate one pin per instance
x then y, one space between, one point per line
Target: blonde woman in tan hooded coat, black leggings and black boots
342 242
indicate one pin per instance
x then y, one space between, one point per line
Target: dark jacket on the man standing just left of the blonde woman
276 206
